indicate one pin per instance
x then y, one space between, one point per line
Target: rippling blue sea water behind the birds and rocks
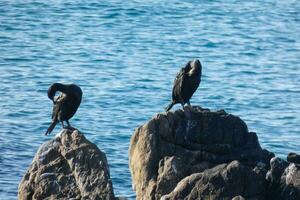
125 54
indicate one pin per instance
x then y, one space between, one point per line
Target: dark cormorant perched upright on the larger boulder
186 83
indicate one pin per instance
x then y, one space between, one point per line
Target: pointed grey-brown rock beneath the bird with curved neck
67 167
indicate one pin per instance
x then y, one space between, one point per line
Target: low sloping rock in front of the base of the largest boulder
224 181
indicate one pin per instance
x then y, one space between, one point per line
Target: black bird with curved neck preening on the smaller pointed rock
65 105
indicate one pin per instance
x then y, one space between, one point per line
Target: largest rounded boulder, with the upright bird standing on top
177 150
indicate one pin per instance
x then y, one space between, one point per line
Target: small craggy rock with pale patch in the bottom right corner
283 180
